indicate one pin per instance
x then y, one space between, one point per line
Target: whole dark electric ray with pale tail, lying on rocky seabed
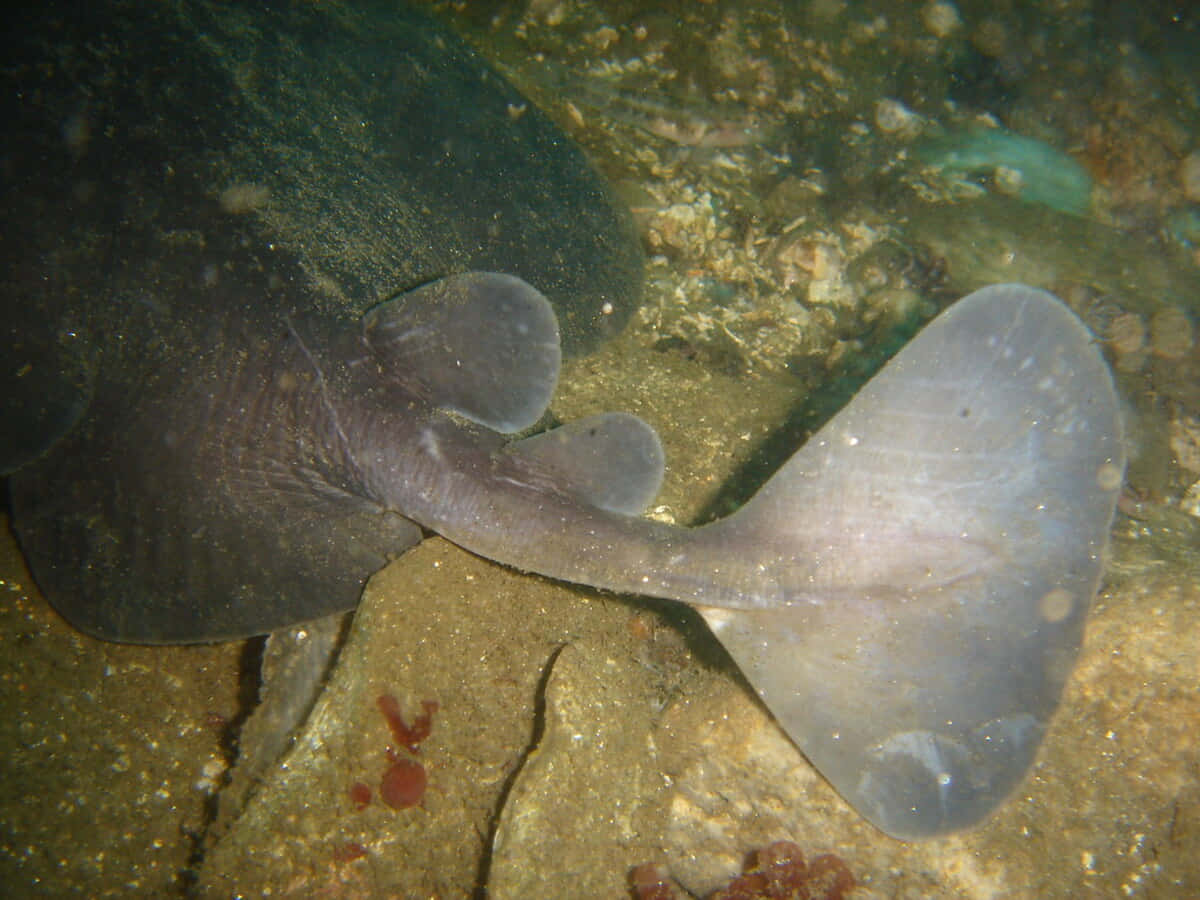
232 453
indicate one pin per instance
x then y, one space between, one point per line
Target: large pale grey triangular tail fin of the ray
937 548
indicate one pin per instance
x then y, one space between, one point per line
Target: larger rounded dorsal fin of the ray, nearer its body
482 345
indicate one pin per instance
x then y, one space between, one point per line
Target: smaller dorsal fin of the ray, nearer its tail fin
614 461
